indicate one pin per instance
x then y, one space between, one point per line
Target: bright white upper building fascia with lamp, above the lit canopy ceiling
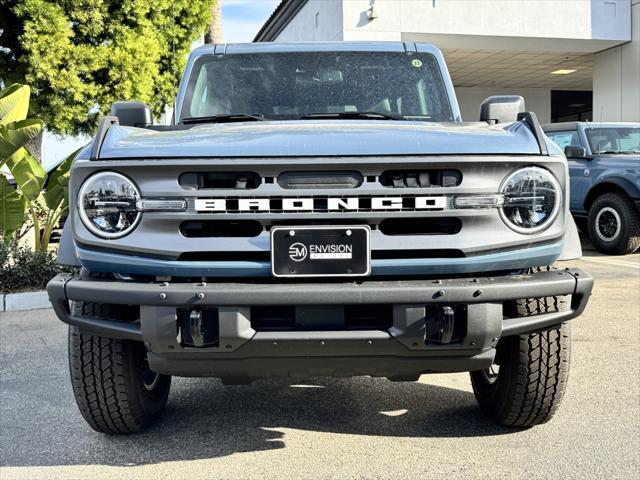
543 19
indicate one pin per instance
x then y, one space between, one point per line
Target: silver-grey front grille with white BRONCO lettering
226 233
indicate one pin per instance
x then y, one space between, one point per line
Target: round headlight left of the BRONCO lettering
107 205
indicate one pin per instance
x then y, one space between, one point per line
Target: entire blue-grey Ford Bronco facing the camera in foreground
318 210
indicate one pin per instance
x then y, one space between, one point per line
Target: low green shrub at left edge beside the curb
23 269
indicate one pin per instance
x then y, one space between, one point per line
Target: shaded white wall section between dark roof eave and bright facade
318 20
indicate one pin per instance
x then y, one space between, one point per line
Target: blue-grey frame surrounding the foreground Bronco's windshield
448 108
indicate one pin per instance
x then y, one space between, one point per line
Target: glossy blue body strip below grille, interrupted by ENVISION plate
511 260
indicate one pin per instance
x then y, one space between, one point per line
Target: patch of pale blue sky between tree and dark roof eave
241 19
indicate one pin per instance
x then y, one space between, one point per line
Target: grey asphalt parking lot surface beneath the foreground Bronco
336 428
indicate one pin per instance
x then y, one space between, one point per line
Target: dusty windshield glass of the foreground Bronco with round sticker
294 85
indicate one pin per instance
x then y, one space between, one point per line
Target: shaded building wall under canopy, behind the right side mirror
537 100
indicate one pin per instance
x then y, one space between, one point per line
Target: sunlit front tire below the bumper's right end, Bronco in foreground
526 385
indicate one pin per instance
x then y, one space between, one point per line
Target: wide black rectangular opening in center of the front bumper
321 318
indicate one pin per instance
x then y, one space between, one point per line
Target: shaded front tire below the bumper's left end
114 388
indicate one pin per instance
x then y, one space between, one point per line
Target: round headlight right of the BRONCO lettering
532 198
